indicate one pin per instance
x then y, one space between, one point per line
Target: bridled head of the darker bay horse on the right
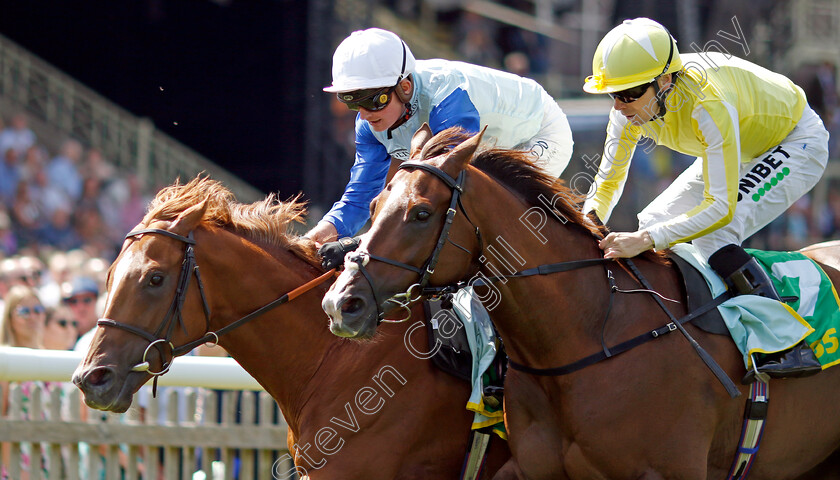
413 225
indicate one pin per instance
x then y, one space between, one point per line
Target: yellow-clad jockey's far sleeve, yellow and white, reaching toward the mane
609 181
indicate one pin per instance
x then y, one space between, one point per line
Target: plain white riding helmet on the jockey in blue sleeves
372 58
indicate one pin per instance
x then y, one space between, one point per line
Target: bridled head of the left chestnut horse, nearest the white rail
145 312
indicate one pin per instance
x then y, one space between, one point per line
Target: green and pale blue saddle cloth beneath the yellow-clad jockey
759 324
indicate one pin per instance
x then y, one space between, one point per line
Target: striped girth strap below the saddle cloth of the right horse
755 416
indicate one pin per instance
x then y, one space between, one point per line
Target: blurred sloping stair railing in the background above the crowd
131 143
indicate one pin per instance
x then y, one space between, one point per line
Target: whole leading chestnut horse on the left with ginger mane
354 411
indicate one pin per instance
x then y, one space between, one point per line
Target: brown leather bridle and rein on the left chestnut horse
189 268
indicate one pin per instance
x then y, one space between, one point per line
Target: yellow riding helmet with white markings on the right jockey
631 54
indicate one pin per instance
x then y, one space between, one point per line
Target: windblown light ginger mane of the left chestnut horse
268 220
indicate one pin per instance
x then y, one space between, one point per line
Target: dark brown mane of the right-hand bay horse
516 170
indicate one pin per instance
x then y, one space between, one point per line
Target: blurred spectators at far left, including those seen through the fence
63 215
